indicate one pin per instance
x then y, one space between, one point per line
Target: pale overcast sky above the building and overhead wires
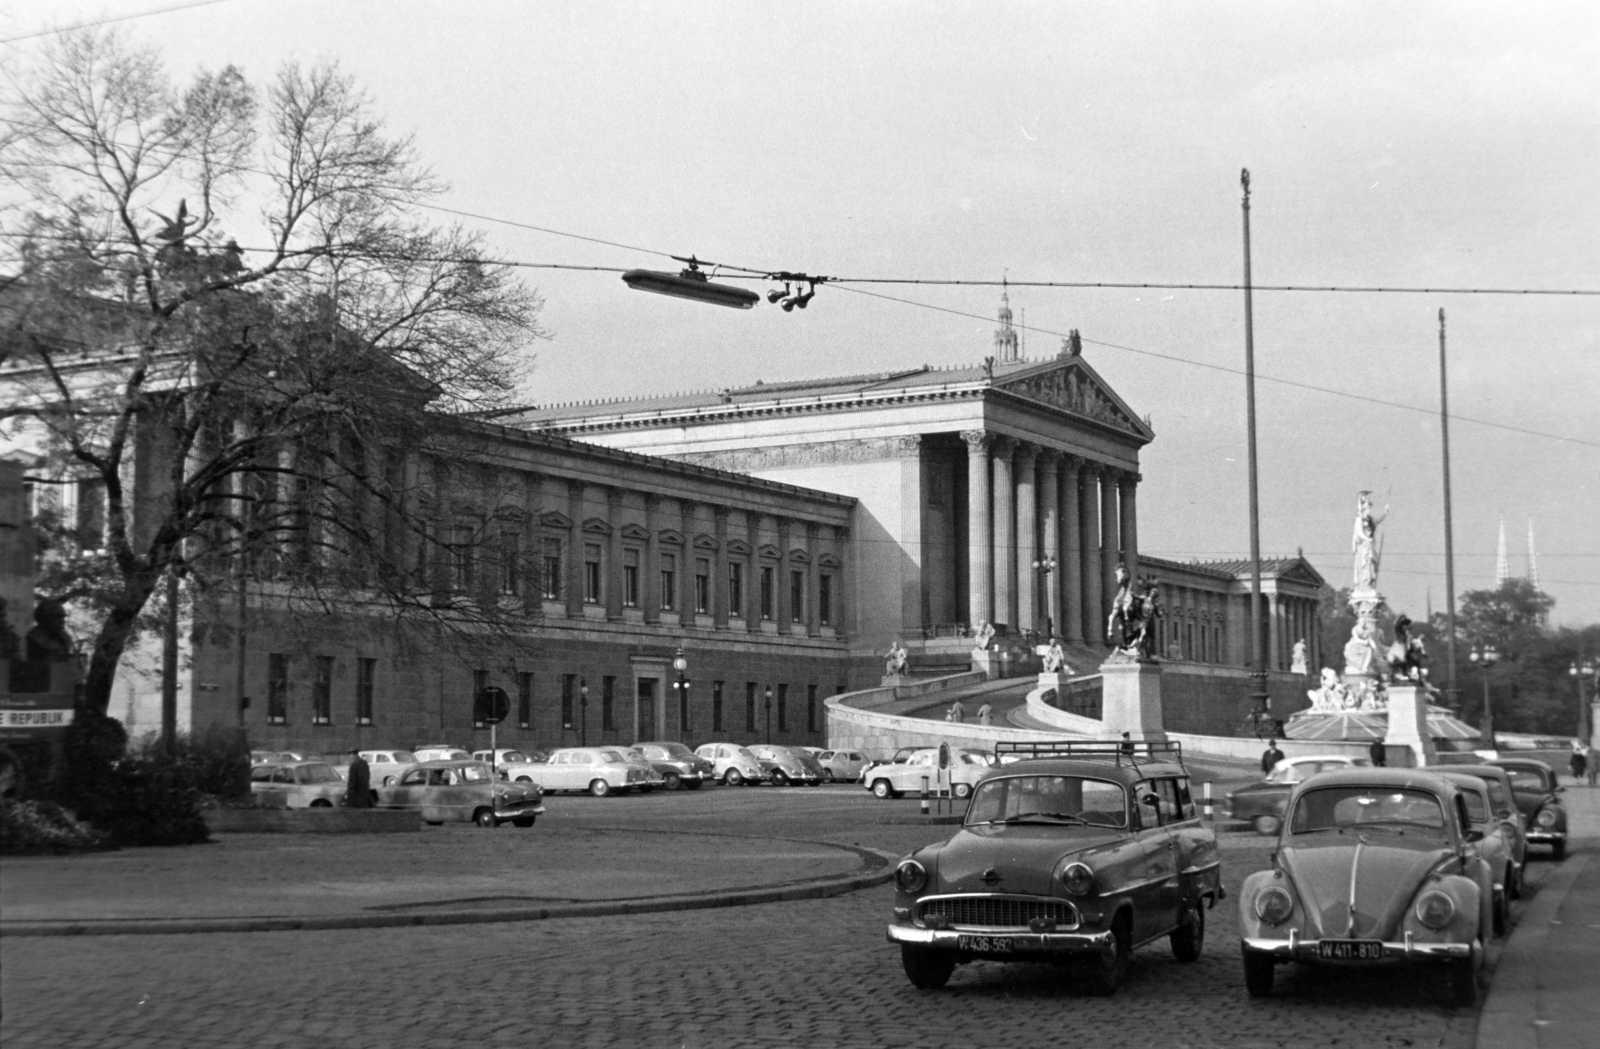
1409 146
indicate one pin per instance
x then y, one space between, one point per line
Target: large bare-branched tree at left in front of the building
228 316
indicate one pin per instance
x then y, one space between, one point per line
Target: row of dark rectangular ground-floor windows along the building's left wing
575 696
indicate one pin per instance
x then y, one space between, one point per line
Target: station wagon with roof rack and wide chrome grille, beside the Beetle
1074 858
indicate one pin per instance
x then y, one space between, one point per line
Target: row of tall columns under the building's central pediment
1026 505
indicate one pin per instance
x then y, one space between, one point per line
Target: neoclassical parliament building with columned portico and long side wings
777 538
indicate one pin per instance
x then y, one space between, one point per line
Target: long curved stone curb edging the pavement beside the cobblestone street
879 871
